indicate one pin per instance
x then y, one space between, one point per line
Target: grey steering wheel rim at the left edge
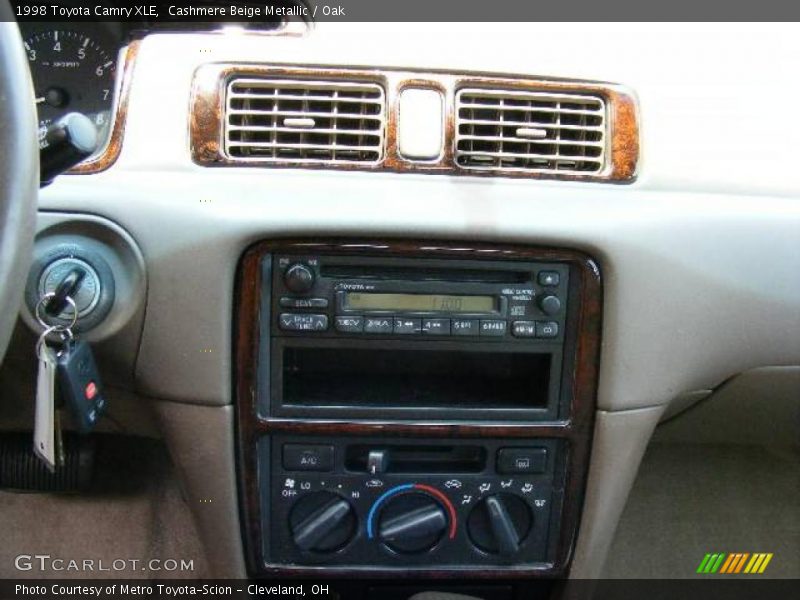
19 171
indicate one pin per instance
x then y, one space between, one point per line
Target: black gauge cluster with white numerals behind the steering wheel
74 68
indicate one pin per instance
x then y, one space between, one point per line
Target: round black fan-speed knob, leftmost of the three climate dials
322 522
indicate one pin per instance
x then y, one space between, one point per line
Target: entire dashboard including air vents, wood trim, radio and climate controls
411 299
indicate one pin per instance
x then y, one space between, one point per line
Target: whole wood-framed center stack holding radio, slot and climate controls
414 406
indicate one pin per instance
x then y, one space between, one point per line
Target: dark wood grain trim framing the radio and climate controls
577 430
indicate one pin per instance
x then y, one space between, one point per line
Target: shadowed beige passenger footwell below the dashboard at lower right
723 476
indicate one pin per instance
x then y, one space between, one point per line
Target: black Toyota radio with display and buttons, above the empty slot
340 296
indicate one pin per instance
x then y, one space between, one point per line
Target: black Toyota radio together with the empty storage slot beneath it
361 336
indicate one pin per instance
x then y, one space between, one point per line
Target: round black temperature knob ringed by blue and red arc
412 523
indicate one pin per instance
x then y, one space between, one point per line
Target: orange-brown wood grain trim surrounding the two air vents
206 114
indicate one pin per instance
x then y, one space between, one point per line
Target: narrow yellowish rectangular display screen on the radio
420 302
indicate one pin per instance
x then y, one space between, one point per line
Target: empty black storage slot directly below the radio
412 377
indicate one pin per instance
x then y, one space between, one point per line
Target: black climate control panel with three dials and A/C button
410 503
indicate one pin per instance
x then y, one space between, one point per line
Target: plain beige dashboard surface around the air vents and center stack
698 253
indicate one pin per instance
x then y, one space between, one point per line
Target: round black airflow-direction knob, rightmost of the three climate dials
499 524
